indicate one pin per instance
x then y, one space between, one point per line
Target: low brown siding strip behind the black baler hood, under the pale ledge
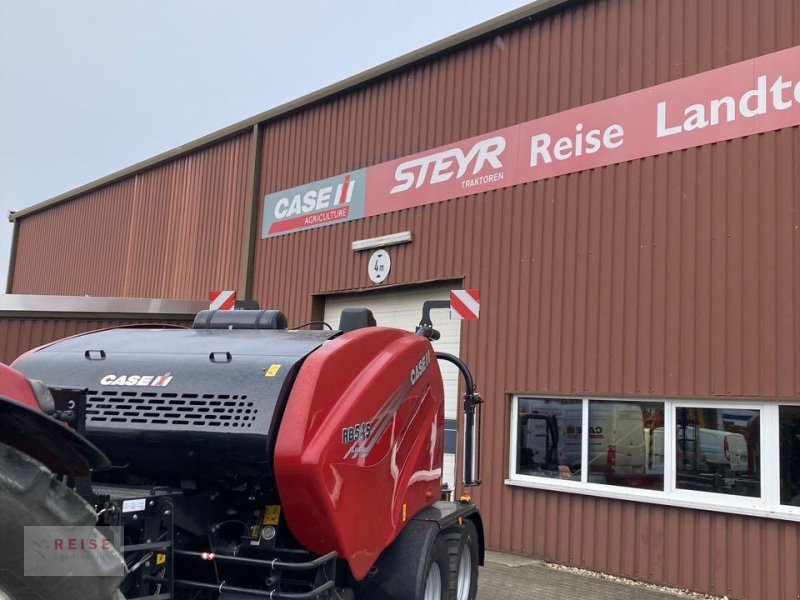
20 334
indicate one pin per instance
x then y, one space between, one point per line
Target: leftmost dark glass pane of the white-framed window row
549 438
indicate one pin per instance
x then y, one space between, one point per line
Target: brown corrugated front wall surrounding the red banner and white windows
677 275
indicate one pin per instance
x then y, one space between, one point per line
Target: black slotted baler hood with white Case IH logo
180 401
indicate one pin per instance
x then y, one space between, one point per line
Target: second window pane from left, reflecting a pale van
626 444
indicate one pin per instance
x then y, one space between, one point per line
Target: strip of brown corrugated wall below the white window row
723 554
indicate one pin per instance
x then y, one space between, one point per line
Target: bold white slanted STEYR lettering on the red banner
484 151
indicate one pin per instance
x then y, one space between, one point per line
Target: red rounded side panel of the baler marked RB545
360 448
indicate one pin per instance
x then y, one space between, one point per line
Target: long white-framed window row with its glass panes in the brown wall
732 456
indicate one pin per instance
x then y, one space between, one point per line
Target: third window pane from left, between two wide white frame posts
718 450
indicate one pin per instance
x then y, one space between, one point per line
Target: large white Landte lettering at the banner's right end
751 104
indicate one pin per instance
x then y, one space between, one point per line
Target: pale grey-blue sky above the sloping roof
91 86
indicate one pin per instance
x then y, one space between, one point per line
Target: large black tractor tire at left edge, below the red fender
30 495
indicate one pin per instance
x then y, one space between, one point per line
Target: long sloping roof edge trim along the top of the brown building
446 44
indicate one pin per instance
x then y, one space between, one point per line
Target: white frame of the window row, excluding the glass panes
767 505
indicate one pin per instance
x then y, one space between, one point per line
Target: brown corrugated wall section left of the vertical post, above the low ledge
174 231
